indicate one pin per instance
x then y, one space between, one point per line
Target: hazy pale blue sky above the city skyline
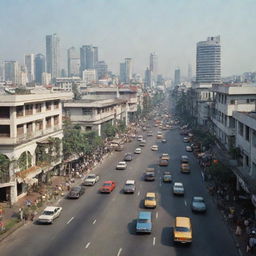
133 28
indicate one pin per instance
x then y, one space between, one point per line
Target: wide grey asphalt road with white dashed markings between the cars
104 224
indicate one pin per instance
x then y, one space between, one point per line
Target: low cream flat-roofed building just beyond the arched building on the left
92 115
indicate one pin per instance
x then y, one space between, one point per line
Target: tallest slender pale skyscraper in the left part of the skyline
53 55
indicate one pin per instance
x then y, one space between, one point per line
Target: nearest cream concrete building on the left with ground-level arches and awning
31 128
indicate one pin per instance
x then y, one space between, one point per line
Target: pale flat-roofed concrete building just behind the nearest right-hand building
227 99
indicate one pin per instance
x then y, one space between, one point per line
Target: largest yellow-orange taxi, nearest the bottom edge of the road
182 230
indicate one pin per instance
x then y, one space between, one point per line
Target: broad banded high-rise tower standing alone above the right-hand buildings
208 61
